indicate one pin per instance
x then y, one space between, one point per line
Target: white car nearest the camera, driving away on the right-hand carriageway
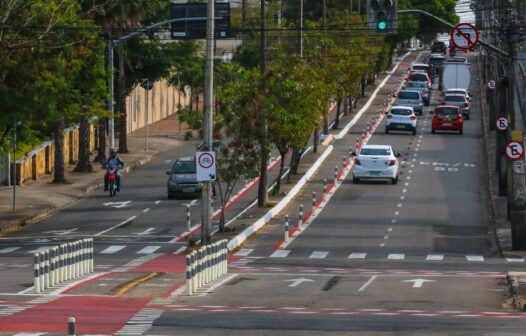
376 162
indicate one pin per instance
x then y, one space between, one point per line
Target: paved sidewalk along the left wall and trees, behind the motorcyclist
36 199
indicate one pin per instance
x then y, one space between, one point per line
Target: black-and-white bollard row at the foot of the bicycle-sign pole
205 265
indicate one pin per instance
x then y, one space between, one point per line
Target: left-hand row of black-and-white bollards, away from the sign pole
62 263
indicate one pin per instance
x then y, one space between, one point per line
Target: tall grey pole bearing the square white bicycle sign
208 120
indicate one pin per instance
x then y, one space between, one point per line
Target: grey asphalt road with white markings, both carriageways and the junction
415 258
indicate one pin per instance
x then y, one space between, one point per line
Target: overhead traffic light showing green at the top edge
382 15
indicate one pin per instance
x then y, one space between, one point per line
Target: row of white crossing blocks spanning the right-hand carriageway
282 253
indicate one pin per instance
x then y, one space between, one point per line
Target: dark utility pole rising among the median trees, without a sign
263 177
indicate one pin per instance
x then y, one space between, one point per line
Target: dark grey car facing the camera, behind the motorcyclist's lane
182 182
